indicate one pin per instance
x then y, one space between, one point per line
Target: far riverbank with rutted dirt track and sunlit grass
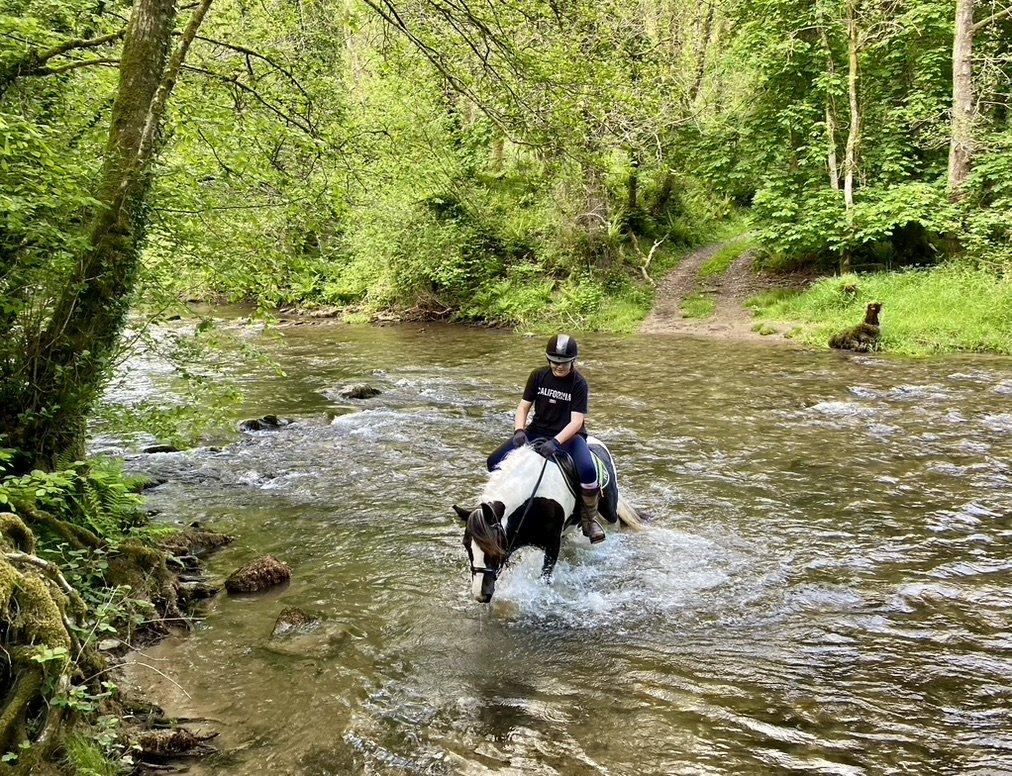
717 292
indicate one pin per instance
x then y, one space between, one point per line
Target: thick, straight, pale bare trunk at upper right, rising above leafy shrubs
961 139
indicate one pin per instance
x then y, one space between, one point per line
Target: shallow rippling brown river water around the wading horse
824 587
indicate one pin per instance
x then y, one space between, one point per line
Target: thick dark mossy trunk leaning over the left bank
68 363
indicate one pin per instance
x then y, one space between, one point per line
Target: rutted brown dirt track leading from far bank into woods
731 319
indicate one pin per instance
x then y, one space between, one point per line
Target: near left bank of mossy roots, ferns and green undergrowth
80 564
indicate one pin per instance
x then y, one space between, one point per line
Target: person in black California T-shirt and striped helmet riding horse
560 396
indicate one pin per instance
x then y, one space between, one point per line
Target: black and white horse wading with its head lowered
531 501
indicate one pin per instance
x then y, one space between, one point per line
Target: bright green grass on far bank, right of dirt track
948 309
